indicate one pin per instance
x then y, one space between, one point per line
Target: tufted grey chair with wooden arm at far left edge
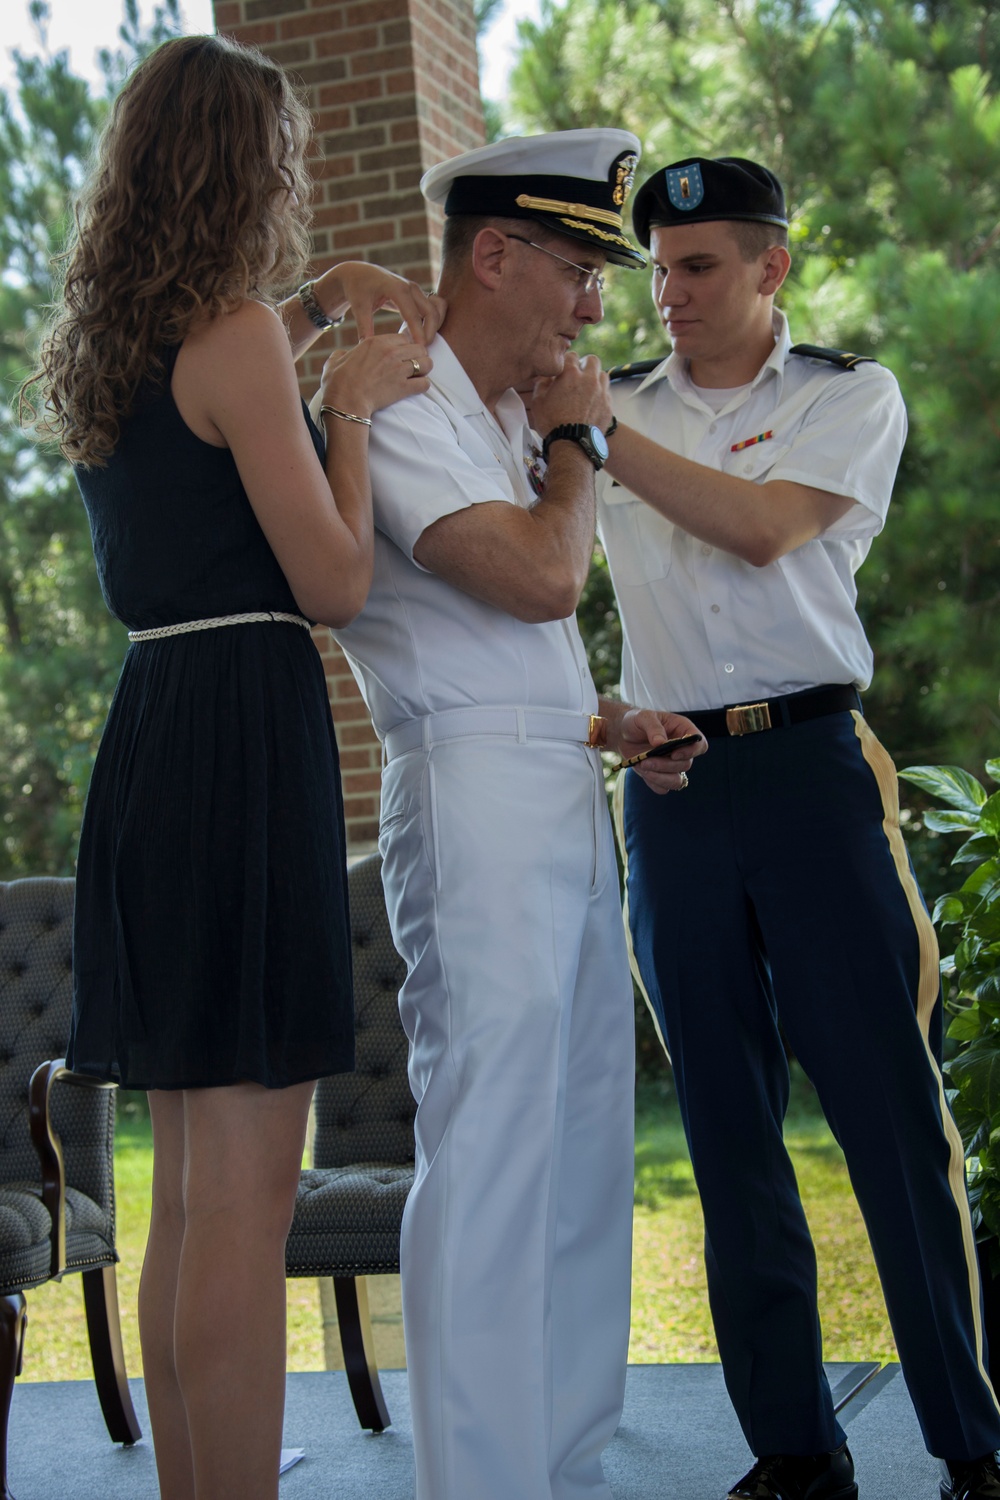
56 1151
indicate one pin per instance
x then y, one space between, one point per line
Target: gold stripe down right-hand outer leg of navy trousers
929 983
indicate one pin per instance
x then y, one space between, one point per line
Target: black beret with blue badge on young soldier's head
702 190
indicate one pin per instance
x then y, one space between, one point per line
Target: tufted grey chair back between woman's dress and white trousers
368 1115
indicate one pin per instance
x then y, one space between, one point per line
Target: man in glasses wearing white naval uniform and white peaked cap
499 863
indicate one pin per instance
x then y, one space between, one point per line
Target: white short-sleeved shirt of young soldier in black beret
702 628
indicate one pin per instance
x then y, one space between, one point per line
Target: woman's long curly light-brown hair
199 200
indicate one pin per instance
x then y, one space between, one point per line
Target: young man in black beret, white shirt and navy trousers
746 482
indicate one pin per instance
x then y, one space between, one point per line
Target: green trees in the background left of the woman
61 650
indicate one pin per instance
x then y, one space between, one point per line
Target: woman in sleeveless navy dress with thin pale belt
212 955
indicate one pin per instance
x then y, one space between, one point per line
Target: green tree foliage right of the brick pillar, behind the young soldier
884 122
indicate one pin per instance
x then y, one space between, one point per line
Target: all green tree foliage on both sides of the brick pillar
885 125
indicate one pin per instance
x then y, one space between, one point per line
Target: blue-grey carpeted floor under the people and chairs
678 1441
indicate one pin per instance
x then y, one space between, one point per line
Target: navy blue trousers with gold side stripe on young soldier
779 886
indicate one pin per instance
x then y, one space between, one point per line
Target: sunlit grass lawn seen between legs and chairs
671 1319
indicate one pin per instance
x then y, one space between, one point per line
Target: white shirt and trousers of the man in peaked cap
500 883
